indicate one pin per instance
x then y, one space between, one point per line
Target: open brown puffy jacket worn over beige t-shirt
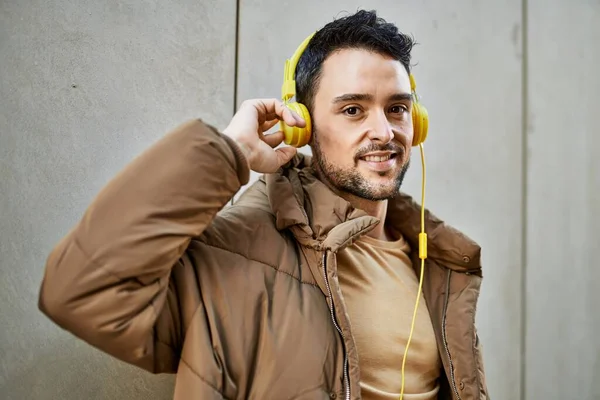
242 301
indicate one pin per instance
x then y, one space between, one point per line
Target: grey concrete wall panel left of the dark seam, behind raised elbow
85 86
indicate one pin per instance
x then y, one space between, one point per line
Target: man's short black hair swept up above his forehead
362 30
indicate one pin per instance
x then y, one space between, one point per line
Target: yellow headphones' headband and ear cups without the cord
298 137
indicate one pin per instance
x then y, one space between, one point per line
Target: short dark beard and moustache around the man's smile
350 180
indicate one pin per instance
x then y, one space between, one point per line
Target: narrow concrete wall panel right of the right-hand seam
563 203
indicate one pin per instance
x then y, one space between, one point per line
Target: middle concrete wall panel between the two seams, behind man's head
468 71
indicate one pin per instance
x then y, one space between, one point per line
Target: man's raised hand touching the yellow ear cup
247 128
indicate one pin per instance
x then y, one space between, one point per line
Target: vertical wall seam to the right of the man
524 191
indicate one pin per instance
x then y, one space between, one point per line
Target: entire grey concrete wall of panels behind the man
85 87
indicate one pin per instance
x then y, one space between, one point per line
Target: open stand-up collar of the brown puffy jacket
321 220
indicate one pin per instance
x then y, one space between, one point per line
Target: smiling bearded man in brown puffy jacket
305 287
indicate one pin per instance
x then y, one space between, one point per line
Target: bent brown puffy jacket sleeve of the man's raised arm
110 281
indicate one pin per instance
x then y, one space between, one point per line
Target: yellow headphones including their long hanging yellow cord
299 137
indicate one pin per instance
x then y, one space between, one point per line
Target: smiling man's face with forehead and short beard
362 123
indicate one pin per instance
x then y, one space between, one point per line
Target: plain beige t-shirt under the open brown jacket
380 288
